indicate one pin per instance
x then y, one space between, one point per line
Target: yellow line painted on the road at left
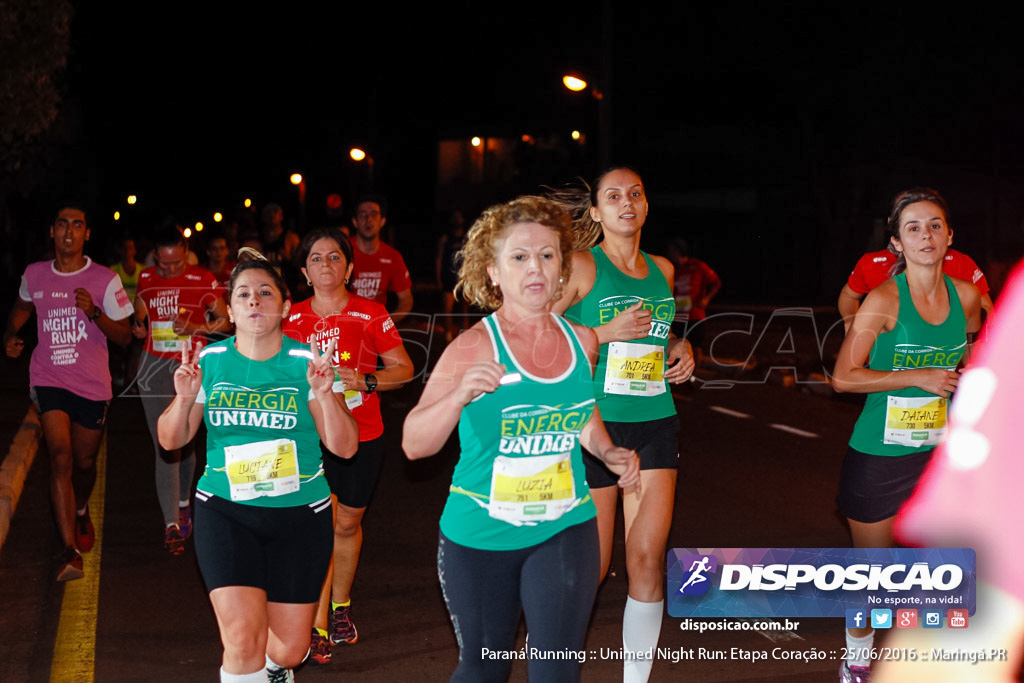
75 651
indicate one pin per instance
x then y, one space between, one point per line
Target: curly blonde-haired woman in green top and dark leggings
519 532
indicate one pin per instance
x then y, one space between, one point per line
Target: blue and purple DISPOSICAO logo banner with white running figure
818 582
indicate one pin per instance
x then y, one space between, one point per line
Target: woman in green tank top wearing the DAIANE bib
913 333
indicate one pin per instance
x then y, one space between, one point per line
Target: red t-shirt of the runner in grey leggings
187 296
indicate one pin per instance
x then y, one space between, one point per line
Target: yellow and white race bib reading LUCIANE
264 468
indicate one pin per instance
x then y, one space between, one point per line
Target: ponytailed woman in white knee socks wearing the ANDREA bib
626 297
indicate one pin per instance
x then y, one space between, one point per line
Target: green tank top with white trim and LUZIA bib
521 479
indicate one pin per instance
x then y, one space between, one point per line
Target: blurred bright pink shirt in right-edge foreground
970 495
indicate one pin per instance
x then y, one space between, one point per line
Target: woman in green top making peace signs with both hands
264 572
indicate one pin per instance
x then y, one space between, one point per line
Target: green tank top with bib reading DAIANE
899 423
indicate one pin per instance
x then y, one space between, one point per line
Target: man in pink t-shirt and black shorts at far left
79 305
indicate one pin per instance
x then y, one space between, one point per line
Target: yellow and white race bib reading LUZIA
532 490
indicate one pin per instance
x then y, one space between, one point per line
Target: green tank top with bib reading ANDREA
629 379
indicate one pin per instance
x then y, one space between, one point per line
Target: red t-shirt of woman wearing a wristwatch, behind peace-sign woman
364 331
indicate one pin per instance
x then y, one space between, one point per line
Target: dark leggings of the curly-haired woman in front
554 583
